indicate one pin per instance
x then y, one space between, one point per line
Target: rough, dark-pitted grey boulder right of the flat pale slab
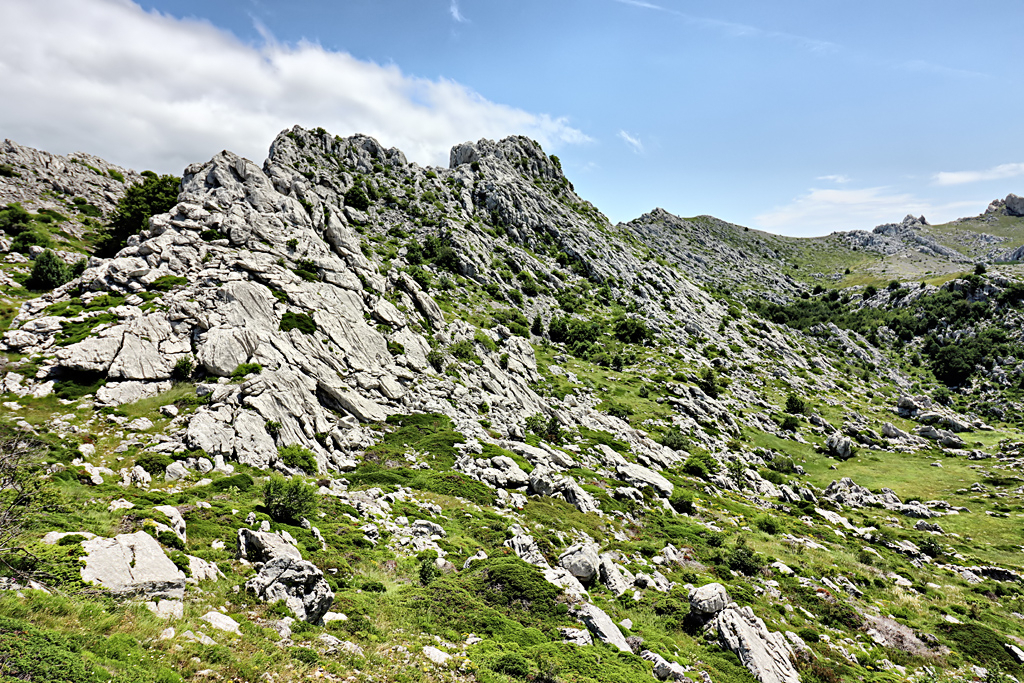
298 583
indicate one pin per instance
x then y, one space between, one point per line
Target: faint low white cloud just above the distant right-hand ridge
824 211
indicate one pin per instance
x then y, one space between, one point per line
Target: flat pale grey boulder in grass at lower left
133 565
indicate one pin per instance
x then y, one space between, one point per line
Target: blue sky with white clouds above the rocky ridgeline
798 117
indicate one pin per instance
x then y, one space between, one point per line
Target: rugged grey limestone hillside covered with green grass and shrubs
344 417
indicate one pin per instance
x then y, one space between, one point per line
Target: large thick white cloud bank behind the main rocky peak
149 91
